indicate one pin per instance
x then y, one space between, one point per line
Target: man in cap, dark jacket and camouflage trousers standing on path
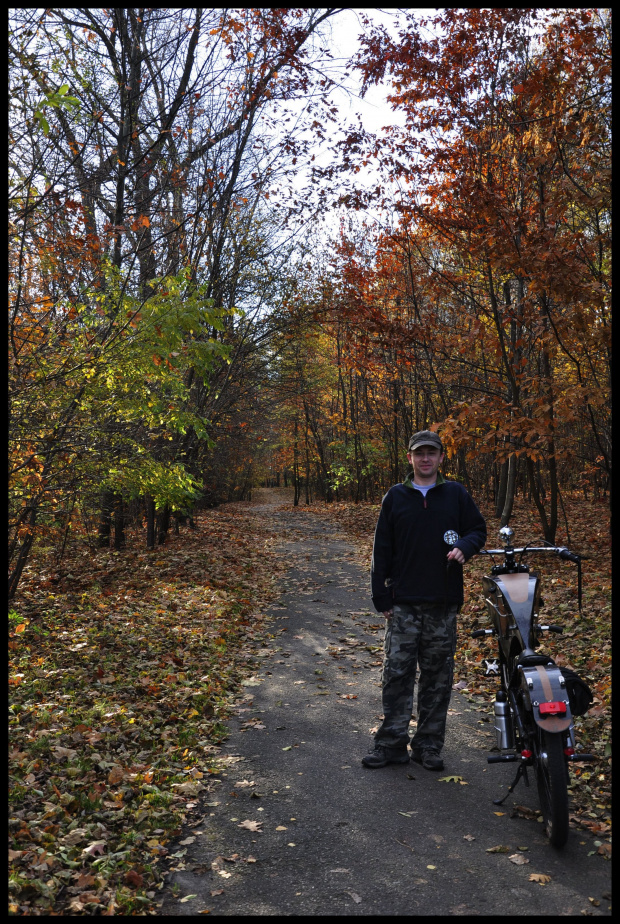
417 583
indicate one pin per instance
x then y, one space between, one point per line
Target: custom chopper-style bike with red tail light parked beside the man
537 701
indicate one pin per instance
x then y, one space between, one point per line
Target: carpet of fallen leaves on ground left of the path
123 670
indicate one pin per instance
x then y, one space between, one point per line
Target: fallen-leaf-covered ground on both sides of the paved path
124 666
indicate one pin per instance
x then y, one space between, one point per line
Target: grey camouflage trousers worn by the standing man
423 635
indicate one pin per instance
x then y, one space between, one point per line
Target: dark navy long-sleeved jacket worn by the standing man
409 552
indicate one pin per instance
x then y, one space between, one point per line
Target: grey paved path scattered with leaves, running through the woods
295 824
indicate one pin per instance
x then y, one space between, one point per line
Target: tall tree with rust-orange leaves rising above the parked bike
502 177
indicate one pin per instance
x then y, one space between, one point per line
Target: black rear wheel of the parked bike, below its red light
552 780
